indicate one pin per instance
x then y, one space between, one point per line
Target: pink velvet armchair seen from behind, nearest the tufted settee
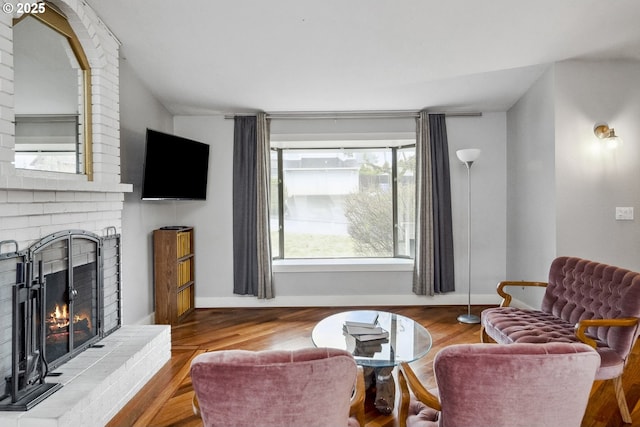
494 385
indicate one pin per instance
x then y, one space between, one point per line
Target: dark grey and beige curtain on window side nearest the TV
251 235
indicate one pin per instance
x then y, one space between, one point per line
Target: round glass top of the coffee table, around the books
407 341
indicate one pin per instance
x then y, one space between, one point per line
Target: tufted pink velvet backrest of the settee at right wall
582 289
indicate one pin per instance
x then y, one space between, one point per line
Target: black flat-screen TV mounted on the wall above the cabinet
175 168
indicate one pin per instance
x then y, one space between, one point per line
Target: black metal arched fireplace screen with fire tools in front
65 297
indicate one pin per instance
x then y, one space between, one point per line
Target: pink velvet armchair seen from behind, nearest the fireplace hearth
278 388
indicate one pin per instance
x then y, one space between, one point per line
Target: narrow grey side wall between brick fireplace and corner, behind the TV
139 110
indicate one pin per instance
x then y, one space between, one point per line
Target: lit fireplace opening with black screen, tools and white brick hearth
69 361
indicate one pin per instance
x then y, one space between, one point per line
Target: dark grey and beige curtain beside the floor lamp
433 268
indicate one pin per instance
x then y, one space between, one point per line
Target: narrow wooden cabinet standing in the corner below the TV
174 273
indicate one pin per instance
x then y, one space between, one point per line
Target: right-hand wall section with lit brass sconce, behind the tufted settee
591 181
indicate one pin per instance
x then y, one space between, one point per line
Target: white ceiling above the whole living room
205 56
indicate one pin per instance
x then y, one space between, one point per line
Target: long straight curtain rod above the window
306 115
